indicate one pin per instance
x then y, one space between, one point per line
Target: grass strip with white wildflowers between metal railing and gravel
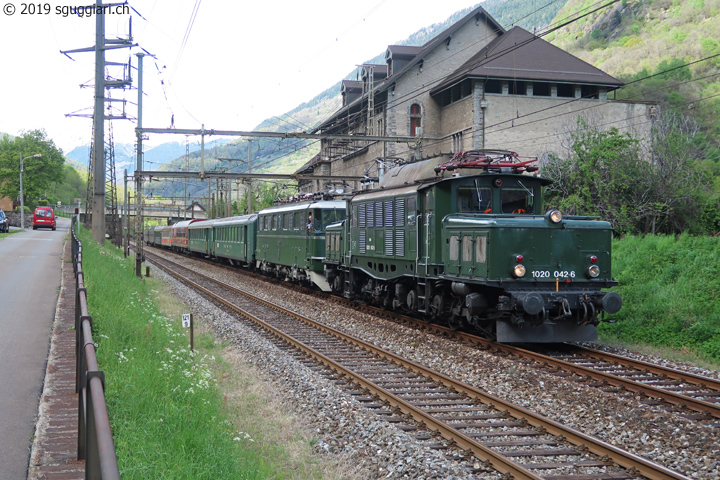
174 414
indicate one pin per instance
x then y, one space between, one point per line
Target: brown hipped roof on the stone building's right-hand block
520 55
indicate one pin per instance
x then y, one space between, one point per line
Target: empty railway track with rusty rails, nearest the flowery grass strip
512 439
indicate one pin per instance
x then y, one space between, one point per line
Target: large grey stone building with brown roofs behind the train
473 86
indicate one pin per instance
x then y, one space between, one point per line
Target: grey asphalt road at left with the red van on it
30 269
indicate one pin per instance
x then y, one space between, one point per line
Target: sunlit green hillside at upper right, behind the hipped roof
637 40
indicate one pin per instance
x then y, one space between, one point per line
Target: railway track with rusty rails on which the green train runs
696 397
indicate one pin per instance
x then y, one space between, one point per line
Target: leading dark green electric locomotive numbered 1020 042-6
474 249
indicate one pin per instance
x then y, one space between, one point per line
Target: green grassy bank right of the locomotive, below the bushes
671 295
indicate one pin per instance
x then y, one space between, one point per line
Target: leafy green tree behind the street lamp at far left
38 172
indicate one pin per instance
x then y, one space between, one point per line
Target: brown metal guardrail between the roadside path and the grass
95 442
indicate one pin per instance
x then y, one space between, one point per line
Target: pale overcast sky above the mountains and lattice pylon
242 62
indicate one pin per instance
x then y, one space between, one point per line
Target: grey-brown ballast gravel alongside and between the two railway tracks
345 427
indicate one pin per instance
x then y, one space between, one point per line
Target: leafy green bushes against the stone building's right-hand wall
606 175
